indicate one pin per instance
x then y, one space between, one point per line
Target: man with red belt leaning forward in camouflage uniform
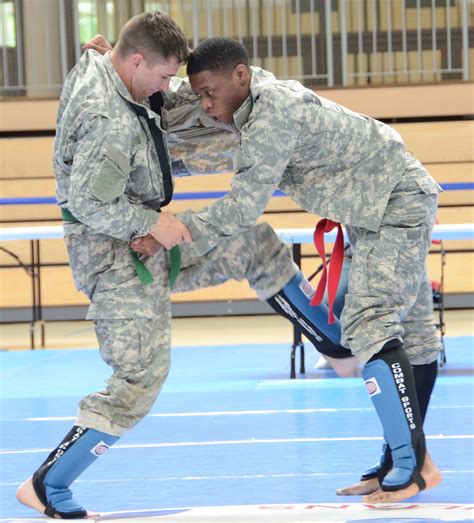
355 171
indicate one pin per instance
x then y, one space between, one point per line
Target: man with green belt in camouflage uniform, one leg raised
113 176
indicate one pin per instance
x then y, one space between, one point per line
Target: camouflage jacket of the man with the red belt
331 161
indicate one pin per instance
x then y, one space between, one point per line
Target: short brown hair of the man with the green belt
153 34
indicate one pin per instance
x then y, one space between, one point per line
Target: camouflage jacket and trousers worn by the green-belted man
109 178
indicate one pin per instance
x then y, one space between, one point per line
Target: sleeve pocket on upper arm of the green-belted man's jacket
111 180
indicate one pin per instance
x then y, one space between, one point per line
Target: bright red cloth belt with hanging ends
332 276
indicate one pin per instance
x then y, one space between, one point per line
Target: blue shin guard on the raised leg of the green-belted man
293 302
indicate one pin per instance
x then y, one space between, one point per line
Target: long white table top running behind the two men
458 231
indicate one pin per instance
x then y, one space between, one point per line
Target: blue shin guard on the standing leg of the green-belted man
78 450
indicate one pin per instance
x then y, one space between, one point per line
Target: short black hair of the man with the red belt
217 55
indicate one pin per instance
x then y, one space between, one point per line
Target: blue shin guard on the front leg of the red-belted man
389 382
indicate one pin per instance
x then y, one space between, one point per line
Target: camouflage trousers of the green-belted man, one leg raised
132 321
